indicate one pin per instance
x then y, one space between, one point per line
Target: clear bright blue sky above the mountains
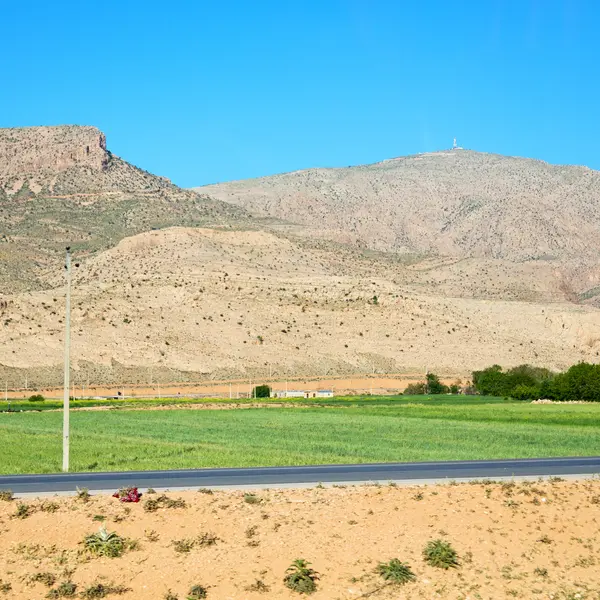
205 91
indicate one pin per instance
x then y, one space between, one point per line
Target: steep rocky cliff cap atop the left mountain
31 149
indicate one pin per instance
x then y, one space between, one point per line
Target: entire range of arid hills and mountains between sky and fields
374 269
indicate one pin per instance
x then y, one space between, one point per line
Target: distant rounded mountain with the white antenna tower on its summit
453 203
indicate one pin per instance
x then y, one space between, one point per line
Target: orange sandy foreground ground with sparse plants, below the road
522 539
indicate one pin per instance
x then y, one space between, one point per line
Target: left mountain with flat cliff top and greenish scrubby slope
60 186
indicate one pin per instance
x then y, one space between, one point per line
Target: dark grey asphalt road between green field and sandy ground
301 476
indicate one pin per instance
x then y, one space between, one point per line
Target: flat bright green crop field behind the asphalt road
336 431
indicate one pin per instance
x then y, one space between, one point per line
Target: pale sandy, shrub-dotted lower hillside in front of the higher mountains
185 303
